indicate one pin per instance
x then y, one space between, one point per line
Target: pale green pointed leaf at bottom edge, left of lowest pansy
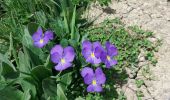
60 93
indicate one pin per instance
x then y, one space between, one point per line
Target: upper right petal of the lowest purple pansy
100 76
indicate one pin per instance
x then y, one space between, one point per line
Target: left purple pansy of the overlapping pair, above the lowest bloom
91 52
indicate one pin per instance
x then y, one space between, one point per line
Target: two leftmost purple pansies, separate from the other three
62 57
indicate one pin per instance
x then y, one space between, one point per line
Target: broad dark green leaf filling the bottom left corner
10 93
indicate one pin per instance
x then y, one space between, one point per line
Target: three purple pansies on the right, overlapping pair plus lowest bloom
94 53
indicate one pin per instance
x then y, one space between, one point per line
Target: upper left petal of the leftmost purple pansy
37 35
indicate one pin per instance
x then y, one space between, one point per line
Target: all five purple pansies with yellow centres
94 53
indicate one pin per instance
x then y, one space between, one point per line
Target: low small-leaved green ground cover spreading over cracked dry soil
129 41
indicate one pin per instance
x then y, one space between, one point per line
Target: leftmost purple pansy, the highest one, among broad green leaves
40 39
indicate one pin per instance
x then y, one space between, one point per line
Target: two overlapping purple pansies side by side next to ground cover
94 53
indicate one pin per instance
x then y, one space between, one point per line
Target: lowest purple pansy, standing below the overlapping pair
94 80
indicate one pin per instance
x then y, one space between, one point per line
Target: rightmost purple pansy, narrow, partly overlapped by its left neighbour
108 54
